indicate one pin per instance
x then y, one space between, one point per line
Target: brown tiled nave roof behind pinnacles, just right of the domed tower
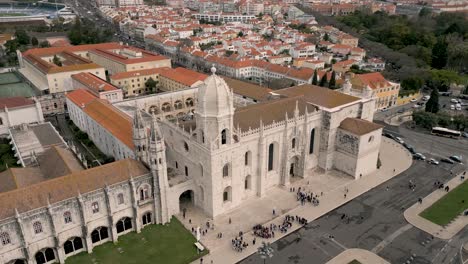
269 111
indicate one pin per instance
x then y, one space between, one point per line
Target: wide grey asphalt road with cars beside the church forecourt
376 220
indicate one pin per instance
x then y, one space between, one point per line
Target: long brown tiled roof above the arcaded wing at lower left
69 186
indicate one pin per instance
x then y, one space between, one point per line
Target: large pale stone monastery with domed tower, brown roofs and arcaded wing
217 157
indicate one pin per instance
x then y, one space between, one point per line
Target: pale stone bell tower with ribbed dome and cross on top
214 114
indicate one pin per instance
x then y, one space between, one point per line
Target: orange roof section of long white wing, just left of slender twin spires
112 119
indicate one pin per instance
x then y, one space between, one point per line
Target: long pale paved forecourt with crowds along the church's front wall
393 156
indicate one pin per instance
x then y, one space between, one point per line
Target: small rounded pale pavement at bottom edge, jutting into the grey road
361 255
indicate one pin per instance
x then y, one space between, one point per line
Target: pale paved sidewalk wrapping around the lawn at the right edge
412 214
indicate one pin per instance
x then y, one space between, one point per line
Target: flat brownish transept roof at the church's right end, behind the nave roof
317 95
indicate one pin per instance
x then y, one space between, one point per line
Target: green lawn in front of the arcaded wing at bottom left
171 244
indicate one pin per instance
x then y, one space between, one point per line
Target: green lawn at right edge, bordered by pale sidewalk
448 207
